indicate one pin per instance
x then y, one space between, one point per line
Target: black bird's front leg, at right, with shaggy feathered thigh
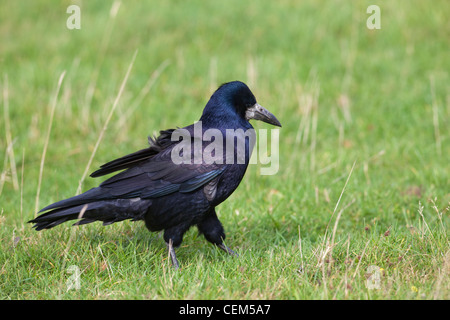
213 231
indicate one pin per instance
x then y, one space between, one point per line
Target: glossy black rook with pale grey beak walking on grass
171 195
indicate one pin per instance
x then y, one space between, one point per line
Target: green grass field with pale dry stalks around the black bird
346 95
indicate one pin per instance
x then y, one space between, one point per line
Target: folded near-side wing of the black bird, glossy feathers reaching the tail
150 178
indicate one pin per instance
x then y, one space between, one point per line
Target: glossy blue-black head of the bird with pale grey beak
235 100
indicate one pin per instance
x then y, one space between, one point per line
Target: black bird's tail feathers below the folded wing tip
89 209
